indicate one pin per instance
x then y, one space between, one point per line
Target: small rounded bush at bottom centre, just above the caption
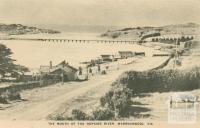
103 114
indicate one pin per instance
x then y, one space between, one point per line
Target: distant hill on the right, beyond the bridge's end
136 33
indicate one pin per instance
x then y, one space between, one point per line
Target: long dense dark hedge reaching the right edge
160 80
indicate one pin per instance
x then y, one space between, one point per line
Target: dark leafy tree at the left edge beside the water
7 63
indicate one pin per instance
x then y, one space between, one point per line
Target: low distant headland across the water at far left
18 29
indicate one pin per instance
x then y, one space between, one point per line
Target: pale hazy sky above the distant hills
100 12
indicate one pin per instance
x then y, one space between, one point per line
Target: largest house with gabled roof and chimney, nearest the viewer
60 70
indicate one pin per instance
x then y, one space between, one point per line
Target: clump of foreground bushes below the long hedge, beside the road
113 105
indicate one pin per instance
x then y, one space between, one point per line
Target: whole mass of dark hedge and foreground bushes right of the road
117 102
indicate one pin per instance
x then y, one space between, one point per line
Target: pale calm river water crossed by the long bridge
35 53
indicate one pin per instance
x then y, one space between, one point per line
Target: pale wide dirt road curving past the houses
39 103
